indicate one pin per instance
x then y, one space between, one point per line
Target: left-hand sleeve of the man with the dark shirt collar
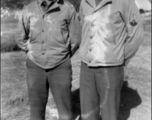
23 31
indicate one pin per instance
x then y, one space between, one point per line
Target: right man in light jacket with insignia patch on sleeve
111 34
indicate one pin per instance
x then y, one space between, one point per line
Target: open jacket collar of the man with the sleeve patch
92 3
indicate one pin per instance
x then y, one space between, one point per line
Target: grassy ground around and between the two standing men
136 92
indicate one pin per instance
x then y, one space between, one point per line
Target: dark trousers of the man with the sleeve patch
100 89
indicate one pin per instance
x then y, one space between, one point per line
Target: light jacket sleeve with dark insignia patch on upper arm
134 26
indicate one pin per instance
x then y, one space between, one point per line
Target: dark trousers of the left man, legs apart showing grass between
58 80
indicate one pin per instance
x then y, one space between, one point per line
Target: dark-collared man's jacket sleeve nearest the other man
74 31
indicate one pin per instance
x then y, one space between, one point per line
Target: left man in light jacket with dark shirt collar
49 35
